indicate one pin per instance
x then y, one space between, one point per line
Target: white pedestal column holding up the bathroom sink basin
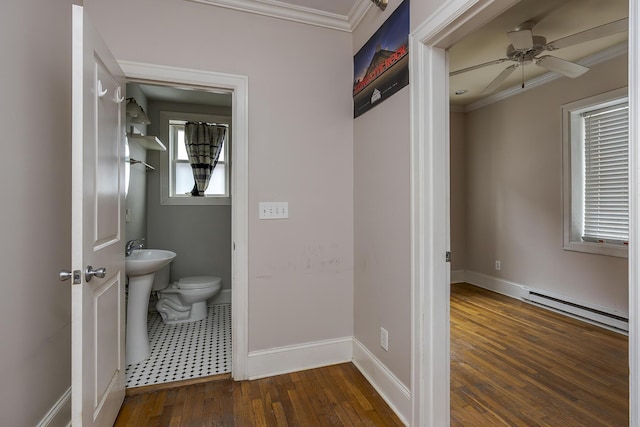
137 337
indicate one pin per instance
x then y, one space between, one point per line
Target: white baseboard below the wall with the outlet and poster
390 388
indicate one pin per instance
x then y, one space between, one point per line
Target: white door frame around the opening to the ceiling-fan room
430 375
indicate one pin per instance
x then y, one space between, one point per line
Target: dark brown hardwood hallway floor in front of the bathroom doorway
336 395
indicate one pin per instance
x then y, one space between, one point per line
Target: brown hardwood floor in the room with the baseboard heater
515 364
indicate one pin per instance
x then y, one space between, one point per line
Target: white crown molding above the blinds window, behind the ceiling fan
589 61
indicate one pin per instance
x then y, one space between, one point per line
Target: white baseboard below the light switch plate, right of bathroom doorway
293 358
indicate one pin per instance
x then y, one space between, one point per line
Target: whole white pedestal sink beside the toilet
141 267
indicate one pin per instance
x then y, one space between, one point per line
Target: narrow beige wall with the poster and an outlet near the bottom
382 257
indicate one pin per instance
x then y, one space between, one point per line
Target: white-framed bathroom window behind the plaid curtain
176 175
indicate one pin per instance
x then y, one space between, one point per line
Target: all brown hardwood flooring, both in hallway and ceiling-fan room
512 364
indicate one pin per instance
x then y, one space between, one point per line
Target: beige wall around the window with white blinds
514 187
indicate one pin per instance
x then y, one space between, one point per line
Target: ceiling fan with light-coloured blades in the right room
525 48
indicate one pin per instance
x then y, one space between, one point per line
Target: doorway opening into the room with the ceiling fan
501 237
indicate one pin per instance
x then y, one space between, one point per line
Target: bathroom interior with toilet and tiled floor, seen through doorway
197 231
